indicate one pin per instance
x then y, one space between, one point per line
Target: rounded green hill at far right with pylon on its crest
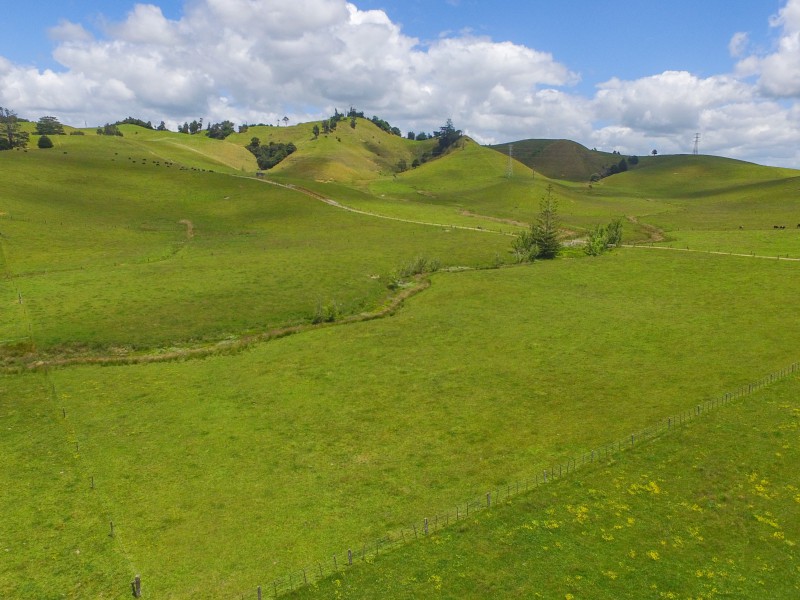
735 204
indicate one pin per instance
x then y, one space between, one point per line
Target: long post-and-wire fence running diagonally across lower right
365 552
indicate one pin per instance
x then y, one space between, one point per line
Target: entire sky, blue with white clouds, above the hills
616 75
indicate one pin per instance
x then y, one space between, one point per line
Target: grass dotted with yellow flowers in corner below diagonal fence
708 511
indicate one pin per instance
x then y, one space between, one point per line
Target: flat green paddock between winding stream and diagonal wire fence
359 429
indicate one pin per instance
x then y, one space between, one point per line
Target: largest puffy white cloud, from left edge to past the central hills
265 56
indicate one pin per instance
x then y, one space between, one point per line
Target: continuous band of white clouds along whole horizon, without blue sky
258 60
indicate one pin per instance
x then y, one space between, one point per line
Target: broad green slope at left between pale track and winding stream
107 248
